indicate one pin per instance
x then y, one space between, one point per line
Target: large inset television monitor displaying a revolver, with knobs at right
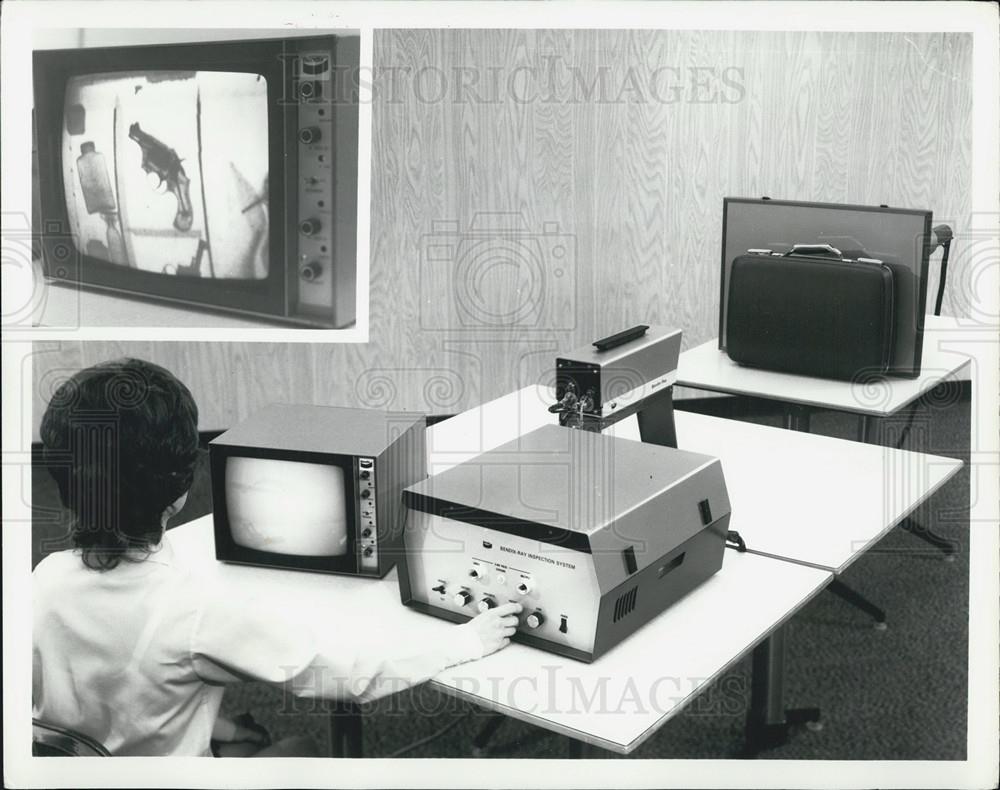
218 175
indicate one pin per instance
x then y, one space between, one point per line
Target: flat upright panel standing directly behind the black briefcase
899 237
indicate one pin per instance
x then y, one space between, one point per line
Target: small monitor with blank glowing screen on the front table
315 488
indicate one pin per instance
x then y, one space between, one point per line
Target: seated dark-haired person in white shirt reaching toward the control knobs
133 649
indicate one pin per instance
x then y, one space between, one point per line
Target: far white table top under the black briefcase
705 367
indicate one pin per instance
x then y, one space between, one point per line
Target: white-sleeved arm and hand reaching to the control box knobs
251 641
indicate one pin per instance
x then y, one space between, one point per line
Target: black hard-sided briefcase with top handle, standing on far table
812 312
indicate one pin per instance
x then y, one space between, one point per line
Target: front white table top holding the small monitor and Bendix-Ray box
618 701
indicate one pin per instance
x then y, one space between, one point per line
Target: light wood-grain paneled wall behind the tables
570 183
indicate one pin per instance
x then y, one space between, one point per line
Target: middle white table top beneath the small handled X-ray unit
795 496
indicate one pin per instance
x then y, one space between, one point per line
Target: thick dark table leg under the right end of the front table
768 721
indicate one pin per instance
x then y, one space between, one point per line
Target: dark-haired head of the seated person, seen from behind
121 441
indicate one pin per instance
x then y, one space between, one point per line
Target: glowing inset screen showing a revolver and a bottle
156 177
